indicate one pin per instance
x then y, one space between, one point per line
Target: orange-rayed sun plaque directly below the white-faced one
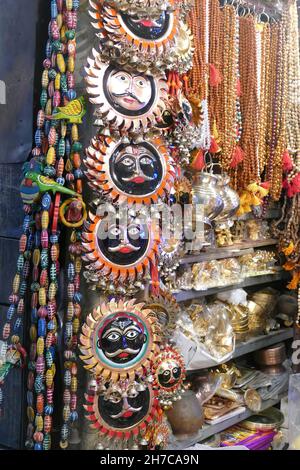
131 172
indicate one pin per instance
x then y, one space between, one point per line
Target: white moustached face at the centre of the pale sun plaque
129 92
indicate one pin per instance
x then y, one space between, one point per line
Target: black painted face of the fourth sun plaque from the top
123 244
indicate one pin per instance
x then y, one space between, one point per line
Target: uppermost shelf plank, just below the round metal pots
238 249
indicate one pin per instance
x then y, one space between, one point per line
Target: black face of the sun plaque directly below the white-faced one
136 169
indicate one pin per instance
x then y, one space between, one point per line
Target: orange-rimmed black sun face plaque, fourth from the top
122 250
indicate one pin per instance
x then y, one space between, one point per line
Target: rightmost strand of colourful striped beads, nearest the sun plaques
74 177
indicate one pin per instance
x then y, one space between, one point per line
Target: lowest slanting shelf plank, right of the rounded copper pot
209 430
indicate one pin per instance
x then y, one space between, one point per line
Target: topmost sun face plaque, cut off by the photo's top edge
141 40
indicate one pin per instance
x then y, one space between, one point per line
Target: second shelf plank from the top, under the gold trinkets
248 282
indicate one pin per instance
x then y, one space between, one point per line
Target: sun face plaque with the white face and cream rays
126 100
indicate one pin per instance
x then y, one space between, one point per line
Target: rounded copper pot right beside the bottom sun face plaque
186 416
